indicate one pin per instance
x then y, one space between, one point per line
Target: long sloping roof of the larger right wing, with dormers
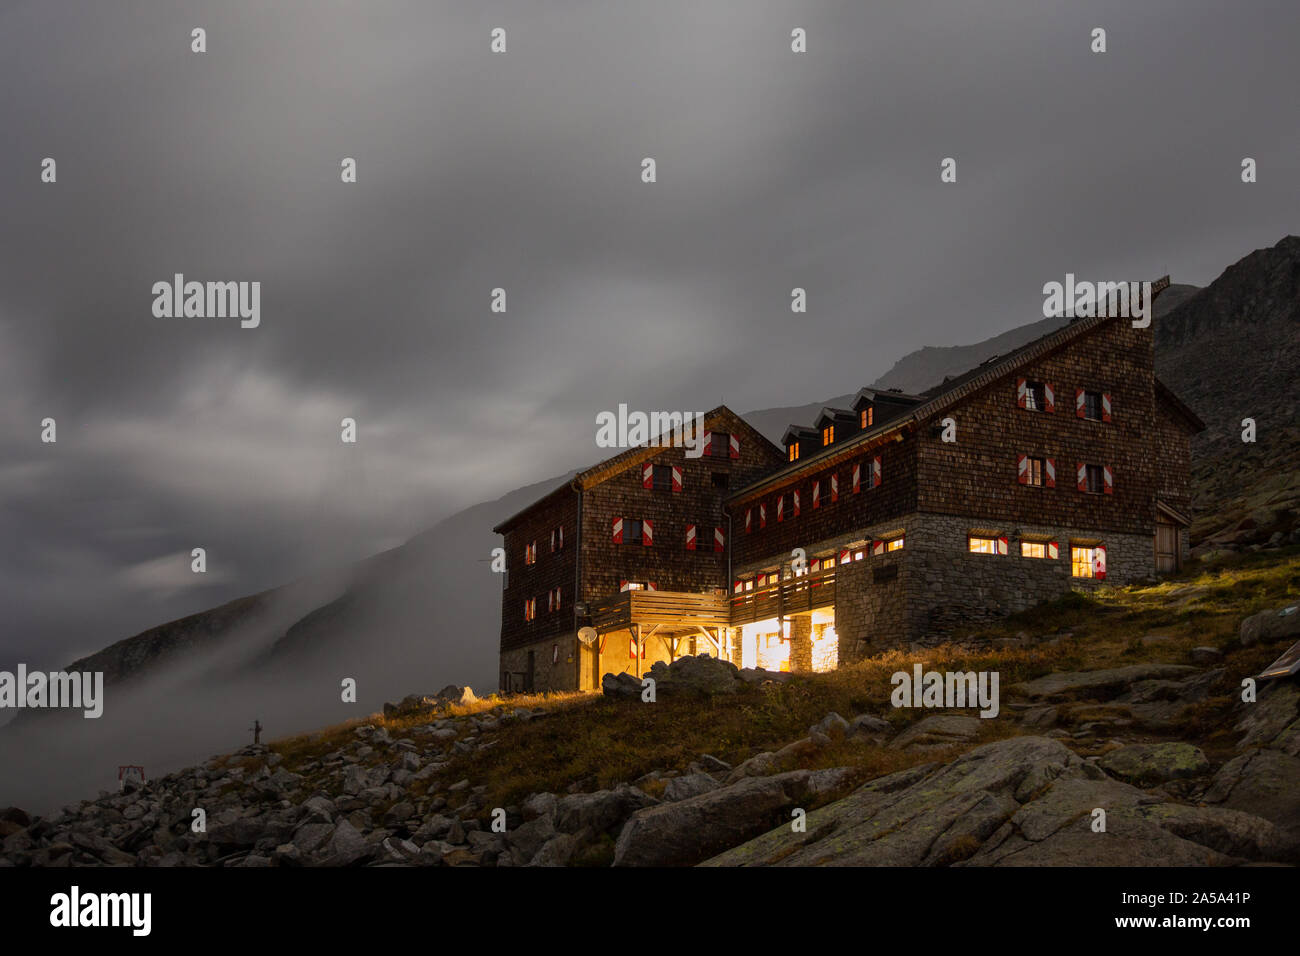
944 396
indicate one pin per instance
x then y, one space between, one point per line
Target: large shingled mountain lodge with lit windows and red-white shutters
902 520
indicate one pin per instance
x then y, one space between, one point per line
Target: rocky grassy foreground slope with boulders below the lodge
1186 773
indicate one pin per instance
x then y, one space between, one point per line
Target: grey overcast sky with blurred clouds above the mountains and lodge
522 171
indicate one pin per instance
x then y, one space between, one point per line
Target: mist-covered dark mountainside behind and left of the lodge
409 621
